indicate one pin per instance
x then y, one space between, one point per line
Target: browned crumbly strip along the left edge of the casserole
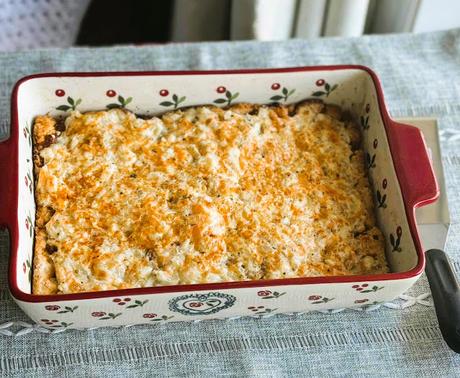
45 130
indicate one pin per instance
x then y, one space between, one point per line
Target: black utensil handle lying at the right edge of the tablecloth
446 296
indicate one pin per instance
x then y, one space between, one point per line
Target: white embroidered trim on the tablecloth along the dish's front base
402 302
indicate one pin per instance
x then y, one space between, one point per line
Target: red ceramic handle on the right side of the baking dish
413 165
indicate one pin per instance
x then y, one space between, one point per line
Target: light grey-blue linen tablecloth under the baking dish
421 77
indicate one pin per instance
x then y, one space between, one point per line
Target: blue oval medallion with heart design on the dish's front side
201 304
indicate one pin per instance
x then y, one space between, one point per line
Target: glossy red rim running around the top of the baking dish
11 207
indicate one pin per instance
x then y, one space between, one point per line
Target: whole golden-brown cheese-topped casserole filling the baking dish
201 195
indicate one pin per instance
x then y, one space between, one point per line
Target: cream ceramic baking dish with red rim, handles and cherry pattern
396 156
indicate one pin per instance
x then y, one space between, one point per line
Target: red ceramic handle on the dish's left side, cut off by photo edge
6 184
